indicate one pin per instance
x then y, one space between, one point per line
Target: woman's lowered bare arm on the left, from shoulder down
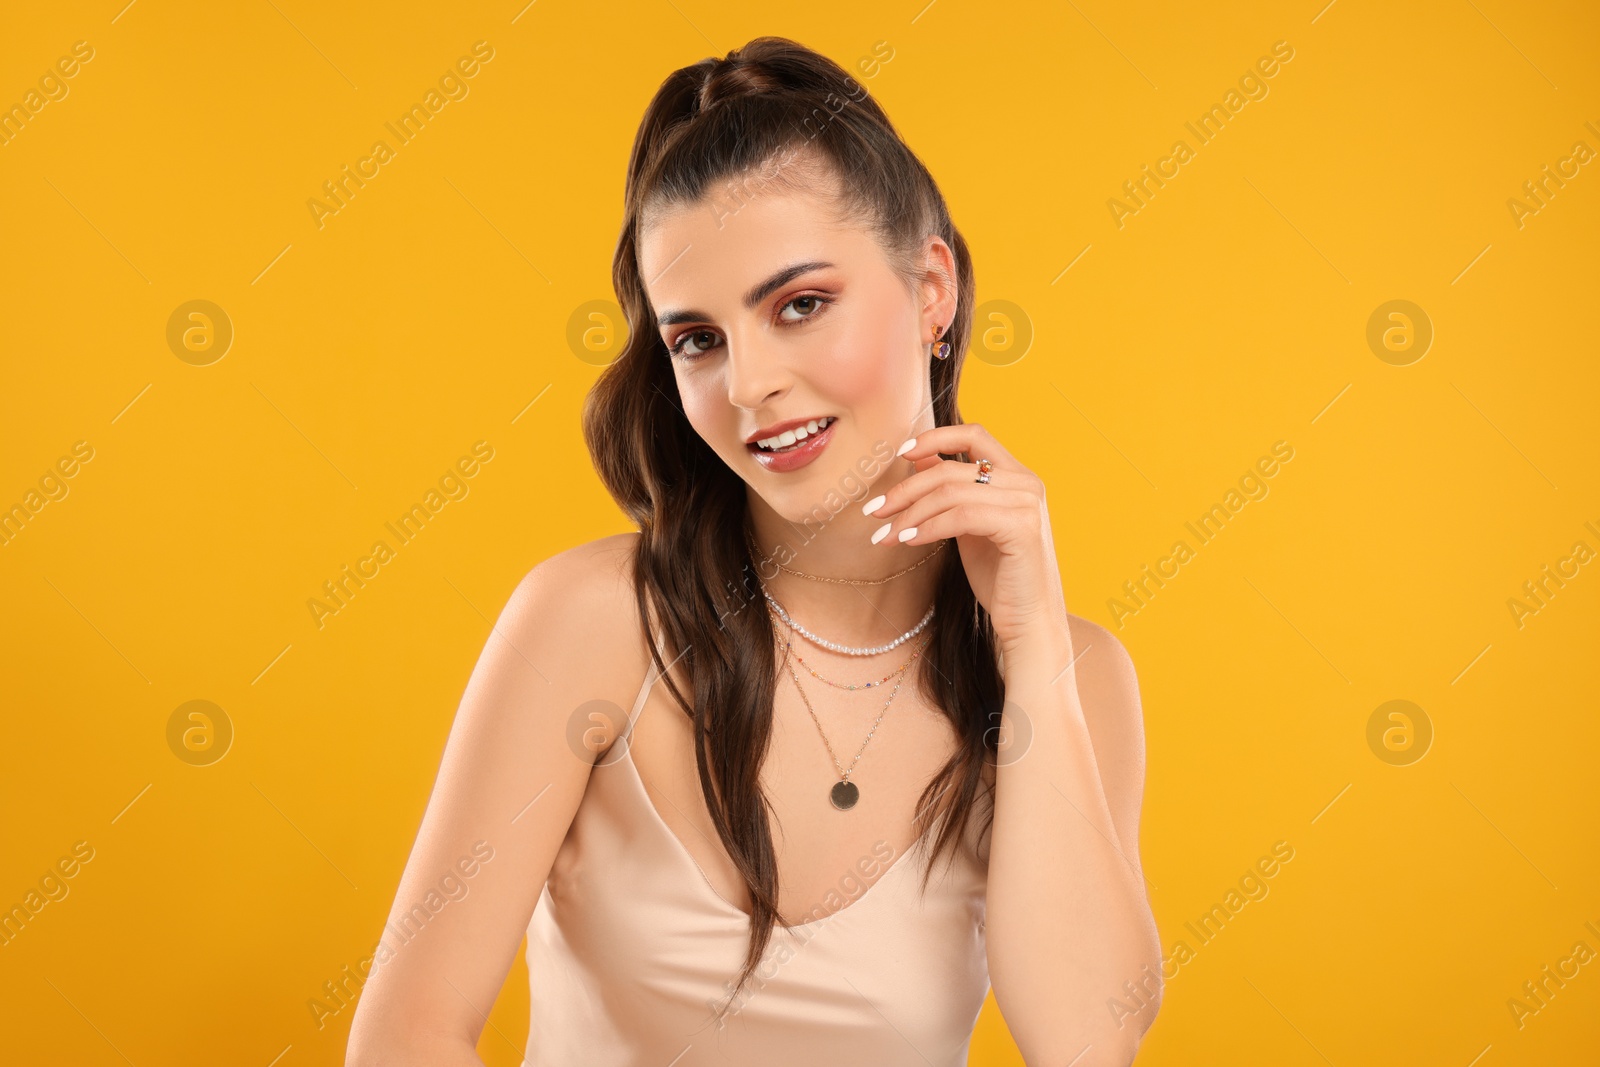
506 794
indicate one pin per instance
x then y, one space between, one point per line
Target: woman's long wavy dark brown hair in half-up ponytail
713 122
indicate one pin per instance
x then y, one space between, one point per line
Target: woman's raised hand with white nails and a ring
1002 530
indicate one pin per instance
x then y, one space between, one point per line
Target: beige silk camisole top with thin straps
631 951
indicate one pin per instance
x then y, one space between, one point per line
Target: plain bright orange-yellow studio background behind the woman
1142 369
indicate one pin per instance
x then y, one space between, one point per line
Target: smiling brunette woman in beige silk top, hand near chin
700 754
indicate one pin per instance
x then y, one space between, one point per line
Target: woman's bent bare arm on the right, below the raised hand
1074 951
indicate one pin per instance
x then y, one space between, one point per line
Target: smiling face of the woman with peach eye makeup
777 318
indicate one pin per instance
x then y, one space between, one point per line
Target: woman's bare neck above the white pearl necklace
842 549
